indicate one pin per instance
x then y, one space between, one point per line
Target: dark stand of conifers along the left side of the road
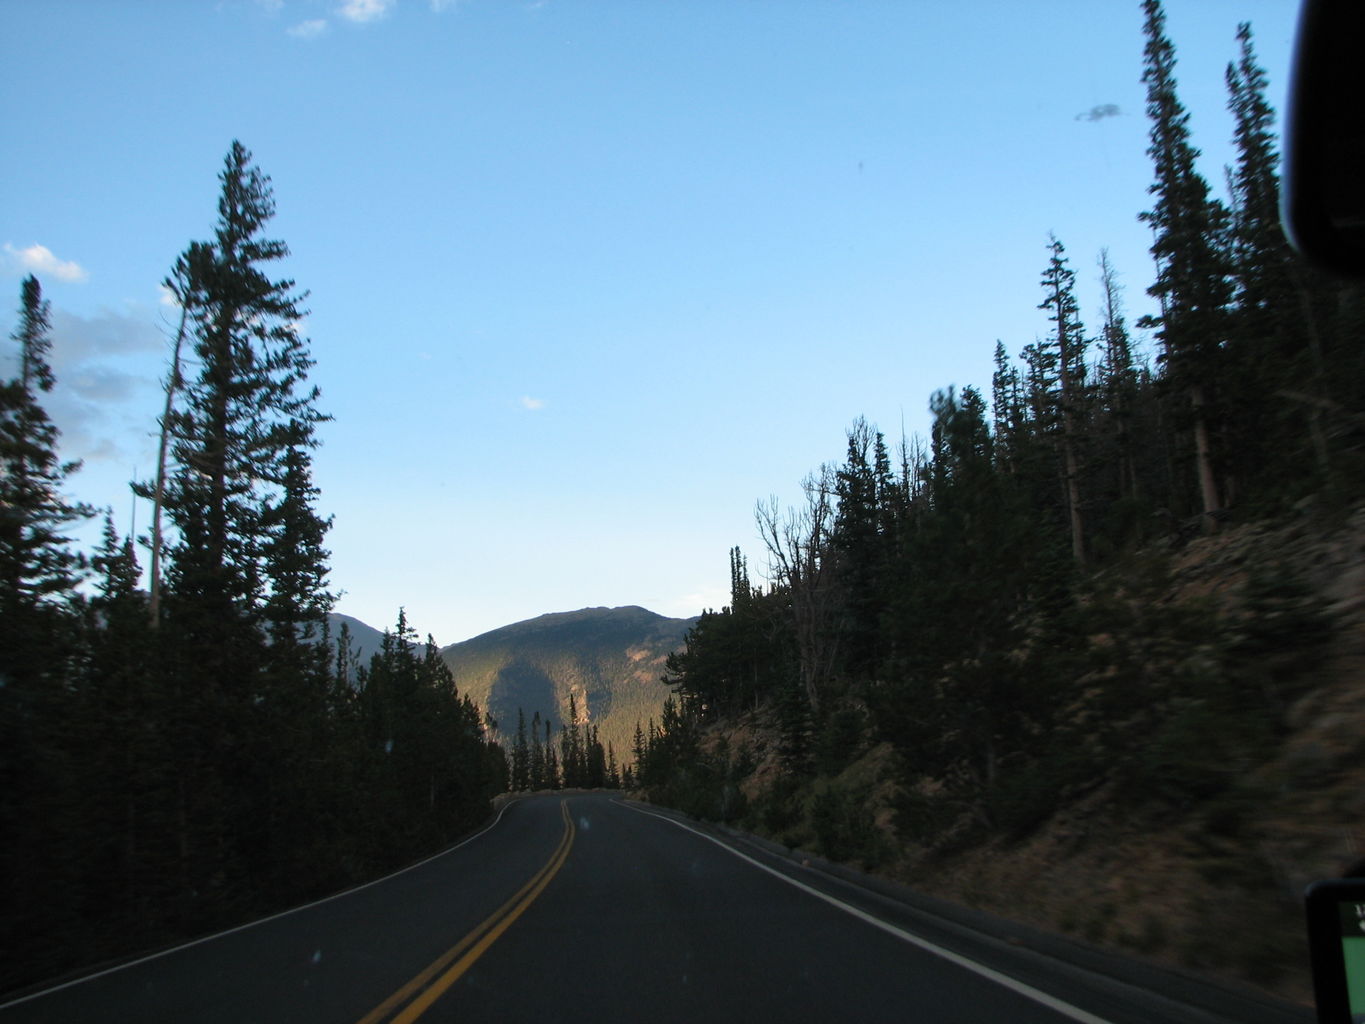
200 752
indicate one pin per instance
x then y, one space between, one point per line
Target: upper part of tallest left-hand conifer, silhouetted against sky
249 408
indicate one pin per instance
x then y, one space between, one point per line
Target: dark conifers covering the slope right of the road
990 601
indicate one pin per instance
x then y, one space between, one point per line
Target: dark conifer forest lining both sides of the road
199 752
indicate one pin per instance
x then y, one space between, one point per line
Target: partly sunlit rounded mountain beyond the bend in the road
611 660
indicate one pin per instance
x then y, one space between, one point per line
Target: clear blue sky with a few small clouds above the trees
589 278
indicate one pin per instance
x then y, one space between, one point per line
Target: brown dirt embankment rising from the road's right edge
1210 887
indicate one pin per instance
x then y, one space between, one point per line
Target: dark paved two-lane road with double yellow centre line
586 909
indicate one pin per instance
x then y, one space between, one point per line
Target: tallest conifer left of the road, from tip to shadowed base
245 599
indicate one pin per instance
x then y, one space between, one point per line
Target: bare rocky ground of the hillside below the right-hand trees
1210 881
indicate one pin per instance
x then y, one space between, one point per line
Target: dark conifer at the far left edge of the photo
39 574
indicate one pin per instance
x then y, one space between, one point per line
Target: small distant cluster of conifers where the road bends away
582 761
